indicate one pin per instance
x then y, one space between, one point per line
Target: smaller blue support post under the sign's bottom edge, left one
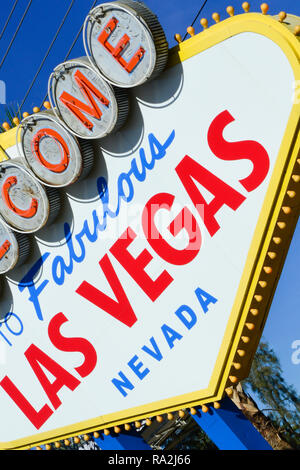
124 441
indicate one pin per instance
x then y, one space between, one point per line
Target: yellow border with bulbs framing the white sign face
261 272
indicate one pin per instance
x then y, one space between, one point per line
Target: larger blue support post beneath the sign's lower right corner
229 429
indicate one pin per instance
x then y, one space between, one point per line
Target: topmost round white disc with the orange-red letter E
125 41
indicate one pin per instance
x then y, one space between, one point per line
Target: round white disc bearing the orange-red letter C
24 204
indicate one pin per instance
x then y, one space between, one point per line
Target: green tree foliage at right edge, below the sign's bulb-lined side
280 399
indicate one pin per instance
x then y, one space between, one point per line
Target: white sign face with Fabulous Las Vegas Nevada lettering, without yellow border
108 319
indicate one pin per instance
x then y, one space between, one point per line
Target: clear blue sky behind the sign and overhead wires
24 58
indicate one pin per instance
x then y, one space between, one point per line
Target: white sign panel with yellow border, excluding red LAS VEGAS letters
223 69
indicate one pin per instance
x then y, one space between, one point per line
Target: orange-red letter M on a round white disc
76 106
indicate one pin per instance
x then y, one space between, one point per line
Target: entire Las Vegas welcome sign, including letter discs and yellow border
149 290
